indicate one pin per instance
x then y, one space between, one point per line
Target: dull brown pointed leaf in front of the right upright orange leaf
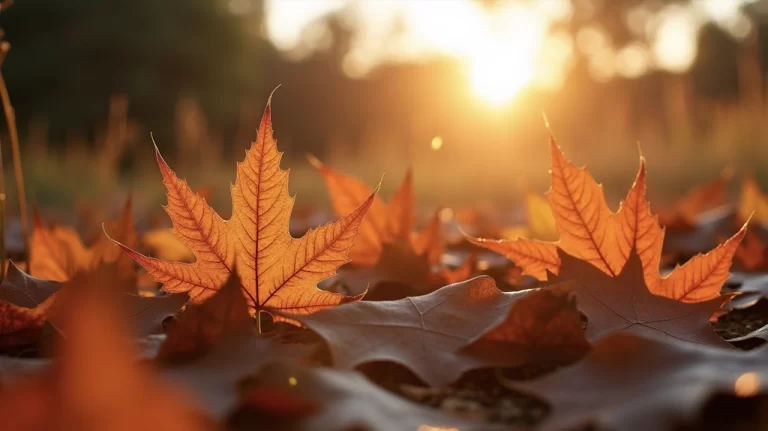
624 302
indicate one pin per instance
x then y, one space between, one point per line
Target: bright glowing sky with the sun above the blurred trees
504 49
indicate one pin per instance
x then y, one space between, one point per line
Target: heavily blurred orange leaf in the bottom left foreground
96 383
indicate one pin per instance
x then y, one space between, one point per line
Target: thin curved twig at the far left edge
10 118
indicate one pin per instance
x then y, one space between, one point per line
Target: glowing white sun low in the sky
504 57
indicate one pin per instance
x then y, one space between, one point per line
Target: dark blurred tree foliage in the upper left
69 57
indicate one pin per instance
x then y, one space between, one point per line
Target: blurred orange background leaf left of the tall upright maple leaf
57 253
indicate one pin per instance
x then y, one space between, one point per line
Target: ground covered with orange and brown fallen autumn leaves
582 318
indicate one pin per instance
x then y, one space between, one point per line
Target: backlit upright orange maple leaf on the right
593 233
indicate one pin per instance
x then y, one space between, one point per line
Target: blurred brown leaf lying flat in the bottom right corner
632 382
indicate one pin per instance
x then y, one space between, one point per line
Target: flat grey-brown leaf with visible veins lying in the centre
422 333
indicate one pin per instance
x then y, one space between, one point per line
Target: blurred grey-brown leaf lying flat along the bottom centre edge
347 400
